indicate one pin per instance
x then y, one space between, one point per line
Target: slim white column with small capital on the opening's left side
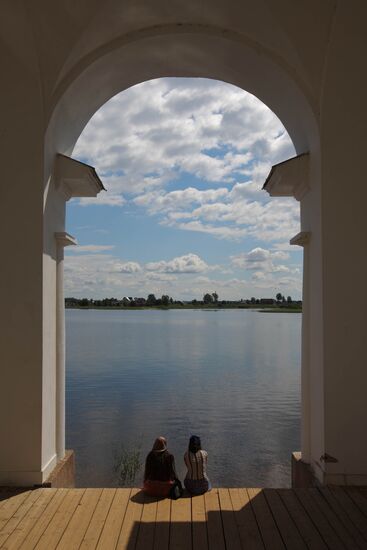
62 240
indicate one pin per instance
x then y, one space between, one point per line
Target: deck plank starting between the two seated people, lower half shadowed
180 534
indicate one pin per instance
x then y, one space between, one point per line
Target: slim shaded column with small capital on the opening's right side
302 239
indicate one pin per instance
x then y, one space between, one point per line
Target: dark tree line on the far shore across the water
165 301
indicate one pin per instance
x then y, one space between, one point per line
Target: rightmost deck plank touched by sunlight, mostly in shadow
268 529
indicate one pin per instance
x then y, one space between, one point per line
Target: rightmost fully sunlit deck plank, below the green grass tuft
112 527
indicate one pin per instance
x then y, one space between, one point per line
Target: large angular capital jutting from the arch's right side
289 178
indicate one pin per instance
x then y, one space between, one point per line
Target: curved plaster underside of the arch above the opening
185 52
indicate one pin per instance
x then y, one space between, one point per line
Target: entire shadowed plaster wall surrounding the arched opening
63 60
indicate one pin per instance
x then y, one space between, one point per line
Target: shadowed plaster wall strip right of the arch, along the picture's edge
344 199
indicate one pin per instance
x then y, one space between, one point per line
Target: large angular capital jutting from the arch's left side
75 179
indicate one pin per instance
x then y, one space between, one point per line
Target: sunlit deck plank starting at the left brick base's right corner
55 529
